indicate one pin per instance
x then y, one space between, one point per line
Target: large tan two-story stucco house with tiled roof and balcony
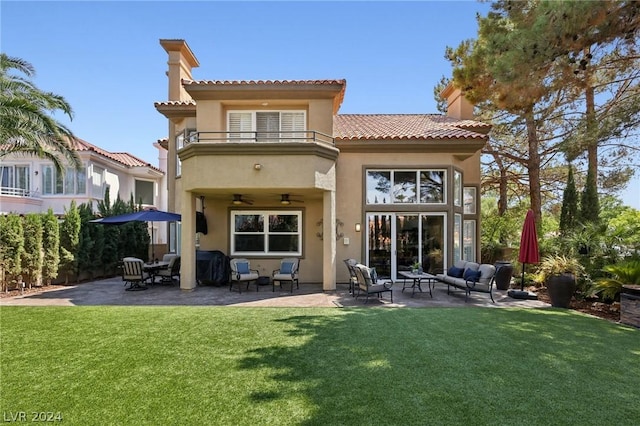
279 173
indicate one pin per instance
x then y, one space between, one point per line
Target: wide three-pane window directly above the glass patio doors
405 186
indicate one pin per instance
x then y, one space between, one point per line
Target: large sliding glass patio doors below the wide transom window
397 241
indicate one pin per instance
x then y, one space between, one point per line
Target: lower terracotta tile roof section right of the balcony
406 126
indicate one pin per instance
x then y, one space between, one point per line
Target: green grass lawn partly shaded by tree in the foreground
253 366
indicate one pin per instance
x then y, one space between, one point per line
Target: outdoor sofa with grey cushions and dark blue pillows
470 276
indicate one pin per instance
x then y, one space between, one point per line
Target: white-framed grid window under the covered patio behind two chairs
266 233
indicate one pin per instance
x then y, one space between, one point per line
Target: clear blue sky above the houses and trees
106 60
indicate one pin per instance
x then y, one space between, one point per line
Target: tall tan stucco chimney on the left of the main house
181 61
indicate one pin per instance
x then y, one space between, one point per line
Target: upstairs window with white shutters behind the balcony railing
267 126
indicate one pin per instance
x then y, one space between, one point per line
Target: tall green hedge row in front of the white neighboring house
42 249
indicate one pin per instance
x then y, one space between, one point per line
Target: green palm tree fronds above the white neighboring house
26 122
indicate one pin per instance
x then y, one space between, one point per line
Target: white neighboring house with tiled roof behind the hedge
30 184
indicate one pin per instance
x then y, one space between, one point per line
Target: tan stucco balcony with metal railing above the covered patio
257 159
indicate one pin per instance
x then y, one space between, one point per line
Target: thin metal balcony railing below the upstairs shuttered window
260 137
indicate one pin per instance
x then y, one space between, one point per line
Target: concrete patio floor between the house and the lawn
112 292
